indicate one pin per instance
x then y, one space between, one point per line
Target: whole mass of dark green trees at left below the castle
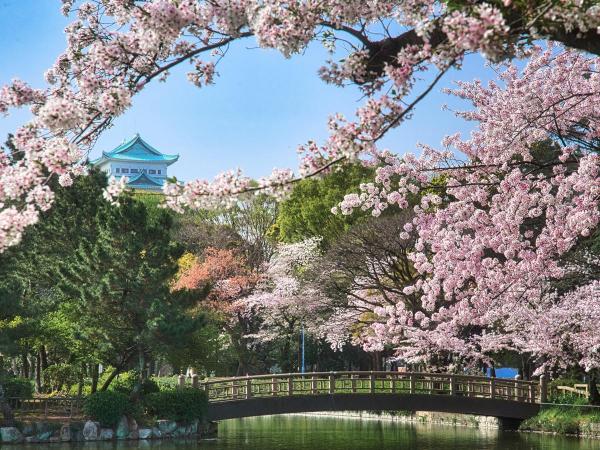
90 285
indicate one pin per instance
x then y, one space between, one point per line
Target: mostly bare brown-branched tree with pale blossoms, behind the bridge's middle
362 276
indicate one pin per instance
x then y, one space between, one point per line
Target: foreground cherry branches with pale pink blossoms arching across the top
116 47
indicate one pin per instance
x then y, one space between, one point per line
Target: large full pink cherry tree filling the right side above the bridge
524 192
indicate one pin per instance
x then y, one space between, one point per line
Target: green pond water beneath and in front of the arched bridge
324 433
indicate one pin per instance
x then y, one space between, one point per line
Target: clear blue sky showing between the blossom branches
260 109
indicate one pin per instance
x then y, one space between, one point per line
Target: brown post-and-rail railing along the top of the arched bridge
327 383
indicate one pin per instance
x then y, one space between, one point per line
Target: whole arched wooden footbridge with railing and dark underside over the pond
509 400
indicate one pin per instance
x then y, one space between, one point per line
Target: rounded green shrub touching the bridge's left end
183 405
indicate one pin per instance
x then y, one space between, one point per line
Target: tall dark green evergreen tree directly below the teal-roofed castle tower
120 281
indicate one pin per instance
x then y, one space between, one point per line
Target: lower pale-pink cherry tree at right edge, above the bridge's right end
560 329
